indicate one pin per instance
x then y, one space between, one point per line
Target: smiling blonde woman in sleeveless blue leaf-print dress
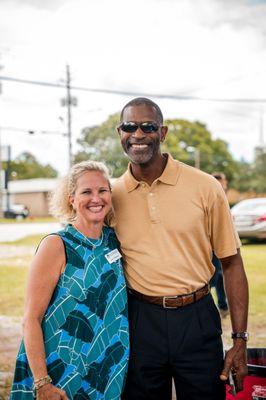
75 324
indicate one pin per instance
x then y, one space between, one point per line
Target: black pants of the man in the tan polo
183 344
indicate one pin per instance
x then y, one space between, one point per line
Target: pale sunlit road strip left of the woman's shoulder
11 232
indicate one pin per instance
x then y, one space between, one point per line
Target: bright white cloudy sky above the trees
198 49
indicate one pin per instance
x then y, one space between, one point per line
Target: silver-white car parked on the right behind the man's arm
250 218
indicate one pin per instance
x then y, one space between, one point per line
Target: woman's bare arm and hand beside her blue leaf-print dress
45 270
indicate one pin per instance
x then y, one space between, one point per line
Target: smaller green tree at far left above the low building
26 166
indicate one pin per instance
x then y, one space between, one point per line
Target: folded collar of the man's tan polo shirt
169 175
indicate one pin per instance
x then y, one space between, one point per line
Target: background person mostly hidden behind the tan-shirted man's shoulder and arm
217 280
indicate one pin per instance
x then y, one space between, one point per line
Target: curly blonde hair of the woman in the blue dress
59 204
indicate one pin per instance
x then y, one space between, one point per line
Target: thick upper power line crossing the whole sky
129 93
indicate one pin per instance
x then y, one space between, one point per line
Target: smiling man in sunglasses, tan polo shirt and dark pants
169 219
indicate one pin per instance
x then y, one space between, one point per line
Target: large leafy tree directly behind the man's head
184 137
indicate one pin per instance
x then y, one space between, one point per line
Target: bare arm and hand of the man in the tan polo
236 287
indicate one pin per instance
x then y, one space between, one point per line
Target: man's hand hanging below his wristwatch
236 362
